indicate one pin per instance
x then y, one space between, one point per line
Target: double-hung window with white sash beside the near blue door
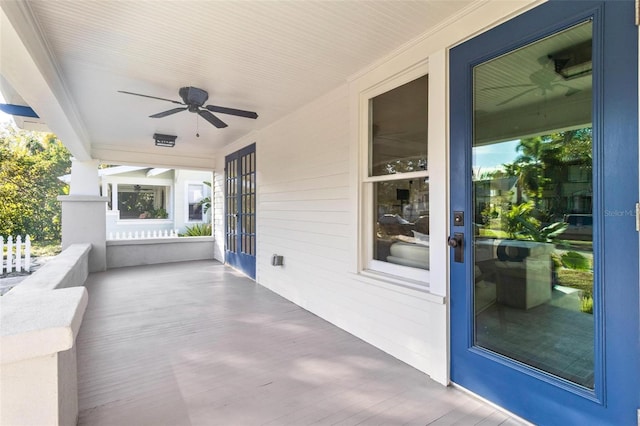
396 182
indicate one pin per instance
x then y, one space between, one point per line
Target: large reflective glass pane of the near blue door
532 205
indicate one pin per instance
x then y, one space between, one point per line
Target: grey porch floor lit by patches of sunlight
196 343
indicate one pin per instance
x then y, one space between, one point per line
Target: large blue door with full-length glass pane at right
544 186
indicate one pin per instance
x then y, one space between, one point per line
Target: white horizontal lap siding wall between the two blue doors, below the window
305 200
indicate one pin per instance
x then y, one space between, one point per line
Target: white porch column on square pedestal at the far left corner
84 213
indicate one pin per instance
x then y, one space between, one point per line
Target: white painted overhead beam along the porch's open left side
28 66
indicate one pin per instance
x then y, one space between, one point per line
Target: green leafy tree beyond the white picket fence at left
30 163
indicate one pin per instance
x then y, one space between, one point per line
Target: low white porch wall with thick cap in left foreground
39 322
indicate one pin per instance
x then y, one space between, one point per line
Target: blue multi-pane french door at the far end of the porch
240 210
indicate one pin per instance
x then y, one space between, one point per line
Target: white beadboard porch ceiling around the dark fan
266 56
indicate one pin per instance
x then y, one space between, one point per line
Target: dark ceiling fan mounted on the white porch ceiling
193 100
